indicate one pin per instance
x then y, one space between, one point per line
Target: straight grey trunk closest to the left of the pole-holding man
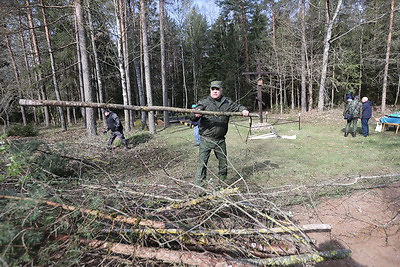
163 63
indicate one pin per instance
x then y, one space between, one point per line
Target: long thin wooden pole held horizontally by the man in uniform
33 102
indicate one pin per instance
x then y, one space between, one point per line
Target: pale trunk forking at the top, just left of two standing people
328 34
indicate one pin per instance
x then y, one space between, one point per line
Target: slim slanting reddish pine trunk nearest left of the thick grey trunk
53 69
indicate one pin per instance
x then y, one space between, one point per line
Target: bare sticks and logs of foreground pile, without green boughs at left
174 226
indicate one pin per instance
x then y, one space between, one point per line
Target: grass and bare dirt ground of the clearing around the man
320 177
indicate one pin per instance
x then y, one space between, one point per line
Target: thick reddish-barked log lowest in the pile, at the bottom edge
166 255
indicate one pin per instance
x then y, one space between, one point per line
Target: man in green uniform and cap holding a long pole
213 130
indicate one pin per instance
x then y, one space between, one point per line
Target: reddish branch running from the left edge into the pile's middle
118 218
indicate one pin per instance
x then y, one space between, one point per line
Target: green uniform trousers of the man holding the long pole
205 148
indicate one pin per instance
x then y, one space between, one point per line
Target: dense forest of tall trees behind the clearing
166 53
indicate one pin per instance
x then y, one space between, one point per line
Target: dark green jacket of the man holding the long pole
212 126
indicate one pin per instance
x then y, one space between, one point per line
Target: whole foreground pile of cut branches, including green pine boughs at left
89 221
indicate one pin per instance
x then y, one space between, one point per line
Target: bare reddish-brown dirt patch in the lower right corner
367 222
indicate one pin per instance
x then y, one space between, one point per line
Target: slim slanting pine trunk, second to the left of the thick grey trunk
38 62
